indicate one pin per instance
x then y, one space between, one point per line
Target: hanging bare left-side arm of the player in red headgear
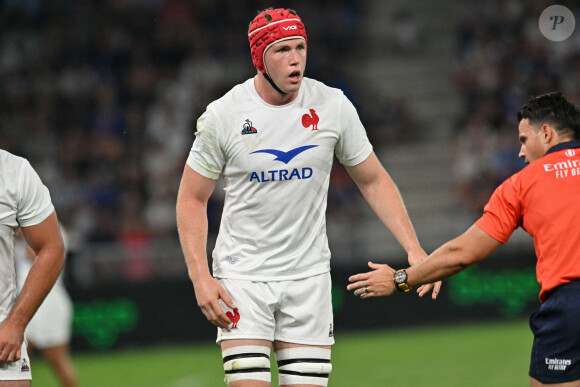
192 198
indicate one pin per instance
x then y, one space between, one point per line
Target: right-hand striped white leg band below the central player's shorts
304 365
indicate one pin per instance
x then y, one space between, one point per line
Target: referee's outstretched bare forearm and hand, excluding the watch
453 257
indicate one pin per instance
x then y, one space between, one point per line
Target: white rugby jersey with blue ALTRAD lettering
275 162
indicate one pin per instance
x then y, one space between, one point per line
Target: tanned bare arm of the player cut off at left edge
46 241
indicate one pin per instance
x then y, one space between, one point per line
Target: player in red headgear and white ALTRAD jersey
272 139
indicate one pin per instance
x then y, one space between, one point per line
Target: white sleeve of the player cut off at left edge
33 204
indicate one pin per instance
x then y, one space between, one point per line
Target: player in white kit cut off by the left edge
24 203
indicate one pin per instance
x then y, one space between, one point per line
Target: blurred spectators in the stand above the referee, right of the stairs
502 60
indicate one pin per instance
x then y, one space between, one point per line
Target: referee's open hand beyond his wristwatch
375 283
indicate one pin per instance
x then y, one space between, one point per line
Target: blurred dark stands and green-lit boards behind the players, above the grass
102 97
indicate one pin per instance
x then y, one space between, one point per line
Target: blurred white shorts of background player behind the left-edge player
51 325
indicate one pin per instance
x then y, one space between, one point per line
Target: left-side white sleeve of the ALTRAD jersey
206 157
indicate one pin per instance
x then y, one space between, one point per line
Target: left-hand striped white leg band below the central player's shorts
247 362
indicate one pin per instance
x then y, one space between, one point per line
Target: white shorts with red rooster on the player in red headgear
297 311
